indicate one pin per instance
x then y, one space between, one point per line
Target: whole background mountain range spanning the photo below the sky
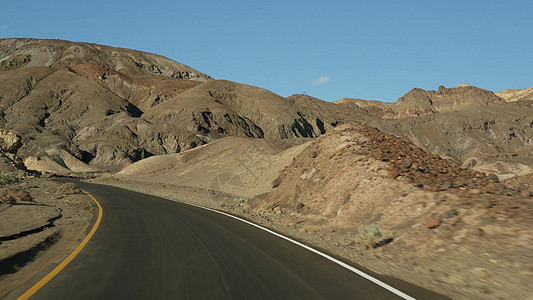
86 108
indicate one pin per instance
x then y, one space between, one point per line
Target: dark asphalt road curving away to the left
151 248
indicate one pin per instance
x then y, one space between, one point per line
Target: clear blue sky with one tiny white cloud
327 49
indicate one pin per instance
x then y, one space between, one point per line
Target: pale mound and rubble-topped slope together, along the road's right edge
374 199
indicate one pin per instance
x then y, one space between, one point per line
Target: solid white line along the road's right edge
342 264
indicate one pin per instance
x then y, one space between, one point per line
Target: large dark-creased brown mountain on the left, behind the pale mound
109 107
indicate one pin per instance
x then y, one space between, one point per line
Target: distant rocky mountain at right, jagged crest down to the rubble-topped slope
471 126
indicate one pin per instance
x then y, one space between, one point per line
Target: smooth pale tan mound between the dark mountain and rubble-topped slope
237 165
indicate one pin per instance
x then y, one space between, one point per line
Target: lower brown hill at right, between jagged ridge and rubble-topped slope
495 138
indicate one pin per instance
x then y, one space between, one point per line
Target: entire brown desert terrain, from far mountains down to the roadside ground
414 189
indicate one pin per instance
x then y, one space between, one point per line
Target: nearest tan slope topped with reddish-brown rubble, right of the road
428 220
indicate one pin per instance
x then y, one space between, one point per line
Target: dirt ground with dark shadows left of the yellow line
36 235
